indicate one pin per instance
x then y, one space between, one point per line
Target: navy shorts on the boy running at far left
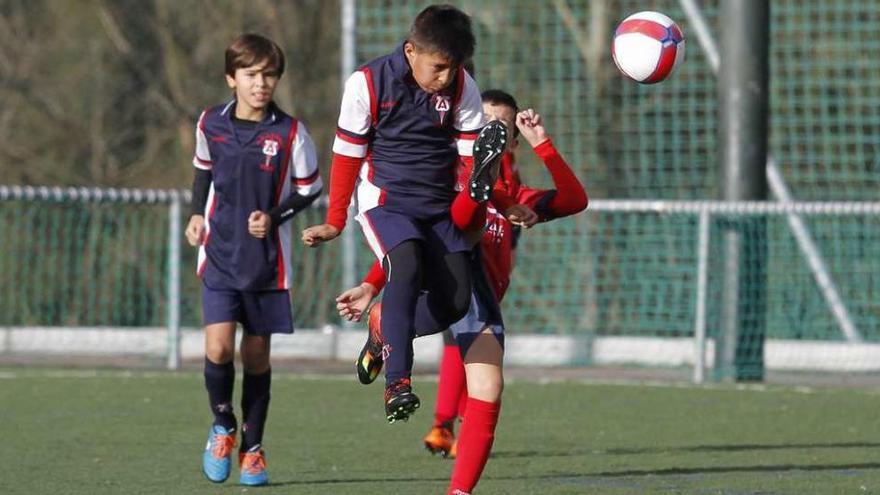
260 313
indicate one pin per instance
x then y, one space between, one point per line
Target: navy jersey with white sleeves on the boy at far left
252 169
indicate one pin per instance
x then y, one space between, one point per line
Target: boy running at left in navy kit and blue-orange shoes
255 169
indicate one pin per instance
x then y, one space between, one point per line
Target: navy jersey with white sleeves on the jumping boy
410 140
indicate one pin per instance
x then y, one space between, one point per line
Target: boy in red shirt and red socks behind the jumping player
479 374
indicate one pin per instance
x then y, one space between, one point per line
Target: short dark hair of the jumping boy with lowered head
443 29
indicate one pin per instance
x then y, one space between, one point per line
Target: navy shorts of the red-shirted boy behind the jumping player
484 312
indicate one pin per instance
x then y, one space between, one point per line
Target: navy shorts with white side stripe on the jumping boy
385 229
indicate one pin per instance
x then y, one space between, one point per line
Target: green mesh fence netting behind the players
603 273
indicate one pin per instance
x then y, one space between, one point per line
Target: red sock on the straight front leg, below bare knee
474 445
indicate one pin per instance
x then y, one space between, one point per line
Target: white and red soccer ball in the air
647 46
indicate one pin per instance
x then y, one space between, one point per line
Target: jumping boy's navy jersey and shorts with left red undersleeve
405 144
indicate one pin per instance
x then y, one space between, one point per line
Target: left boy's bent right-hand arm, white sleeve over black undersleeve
304 177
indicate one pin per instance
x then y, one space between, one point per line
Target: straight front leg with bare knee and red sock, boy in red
483 368
